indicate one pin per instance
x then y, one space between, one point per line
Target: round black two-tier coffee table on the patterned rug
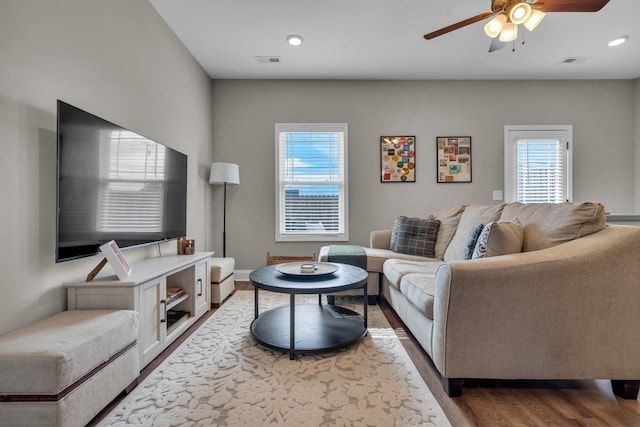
308 328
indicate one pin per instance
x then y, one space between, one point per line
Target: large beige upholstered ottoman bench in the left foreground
63 370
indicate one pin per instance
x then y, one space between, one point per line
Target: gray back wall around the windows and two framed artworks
601 112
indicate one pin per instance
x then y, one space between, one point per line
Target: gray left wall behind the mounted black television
118 60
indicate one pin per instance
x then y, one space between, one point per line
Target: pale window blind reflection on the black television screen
133 171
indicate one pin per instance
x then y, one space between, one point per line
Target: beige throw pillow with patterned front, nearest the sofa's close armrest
499 238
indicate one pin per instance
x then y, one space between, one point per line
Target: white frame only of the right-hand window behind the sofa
512 133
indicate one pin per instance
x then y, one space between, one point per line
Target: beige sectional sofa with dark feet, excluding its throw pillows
566 306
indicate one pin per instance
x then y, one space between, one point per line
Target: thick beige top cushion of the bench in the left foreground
48 356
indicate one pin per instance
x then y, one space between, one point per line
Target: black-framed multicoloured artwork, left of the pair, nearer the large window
397 159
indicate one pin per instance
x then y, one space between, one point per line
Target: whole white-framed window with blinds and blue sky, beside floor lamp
311 182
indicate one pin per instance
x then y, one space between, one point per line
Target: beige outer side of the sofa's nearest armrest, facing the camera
570 311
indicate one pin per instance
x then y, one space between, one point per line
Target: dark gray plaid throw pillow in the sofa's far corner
416 236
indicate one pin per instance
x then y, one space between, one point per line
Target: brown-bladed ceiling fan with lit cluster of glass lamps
508 14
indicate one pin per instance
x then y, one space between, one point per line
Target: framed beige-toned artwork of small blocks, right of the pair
454 159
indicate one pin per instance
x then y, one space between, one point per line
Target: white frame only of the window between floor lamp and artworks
312 235
